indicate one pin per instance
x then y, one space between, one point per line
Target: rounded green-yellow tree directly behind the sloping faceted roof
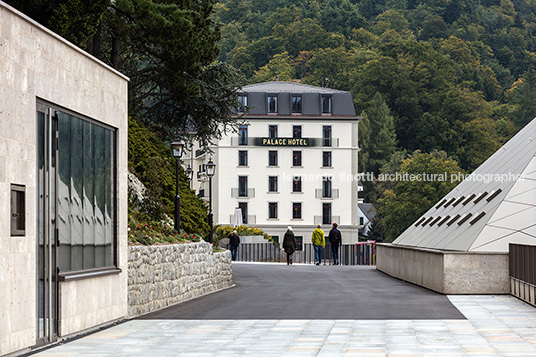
403 201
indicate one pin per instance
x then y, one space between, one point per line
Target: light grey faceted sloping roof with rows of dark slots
494 206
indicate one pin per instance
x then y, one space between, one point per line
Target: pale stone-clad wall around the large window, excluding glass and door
37 64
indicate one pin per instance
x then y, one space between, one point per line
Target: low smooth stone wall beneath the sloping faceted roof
447 272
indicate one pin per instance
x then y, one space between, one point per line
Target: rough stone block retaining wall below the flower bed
163 275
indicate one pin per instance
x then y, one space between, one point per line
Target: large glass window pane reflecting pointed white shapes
86 211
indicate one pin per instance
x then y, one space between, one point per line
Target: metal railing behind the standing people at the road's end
349 254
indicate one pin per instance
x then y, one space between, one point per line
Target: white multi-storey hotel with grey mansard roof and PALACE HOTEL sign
293 162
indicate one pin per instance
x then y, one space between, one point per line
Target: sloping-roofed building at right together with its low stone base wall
460 246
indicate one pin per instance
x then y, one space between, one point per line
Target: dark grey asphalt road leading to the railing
275 291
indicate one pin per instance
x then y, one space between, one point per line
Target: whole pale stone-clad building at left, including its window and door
63 187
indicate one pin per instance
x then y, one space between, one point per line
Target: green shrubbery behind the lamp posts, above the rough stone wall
151 161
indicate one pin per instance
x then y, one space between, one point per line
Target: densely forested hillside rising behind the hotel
450 75
